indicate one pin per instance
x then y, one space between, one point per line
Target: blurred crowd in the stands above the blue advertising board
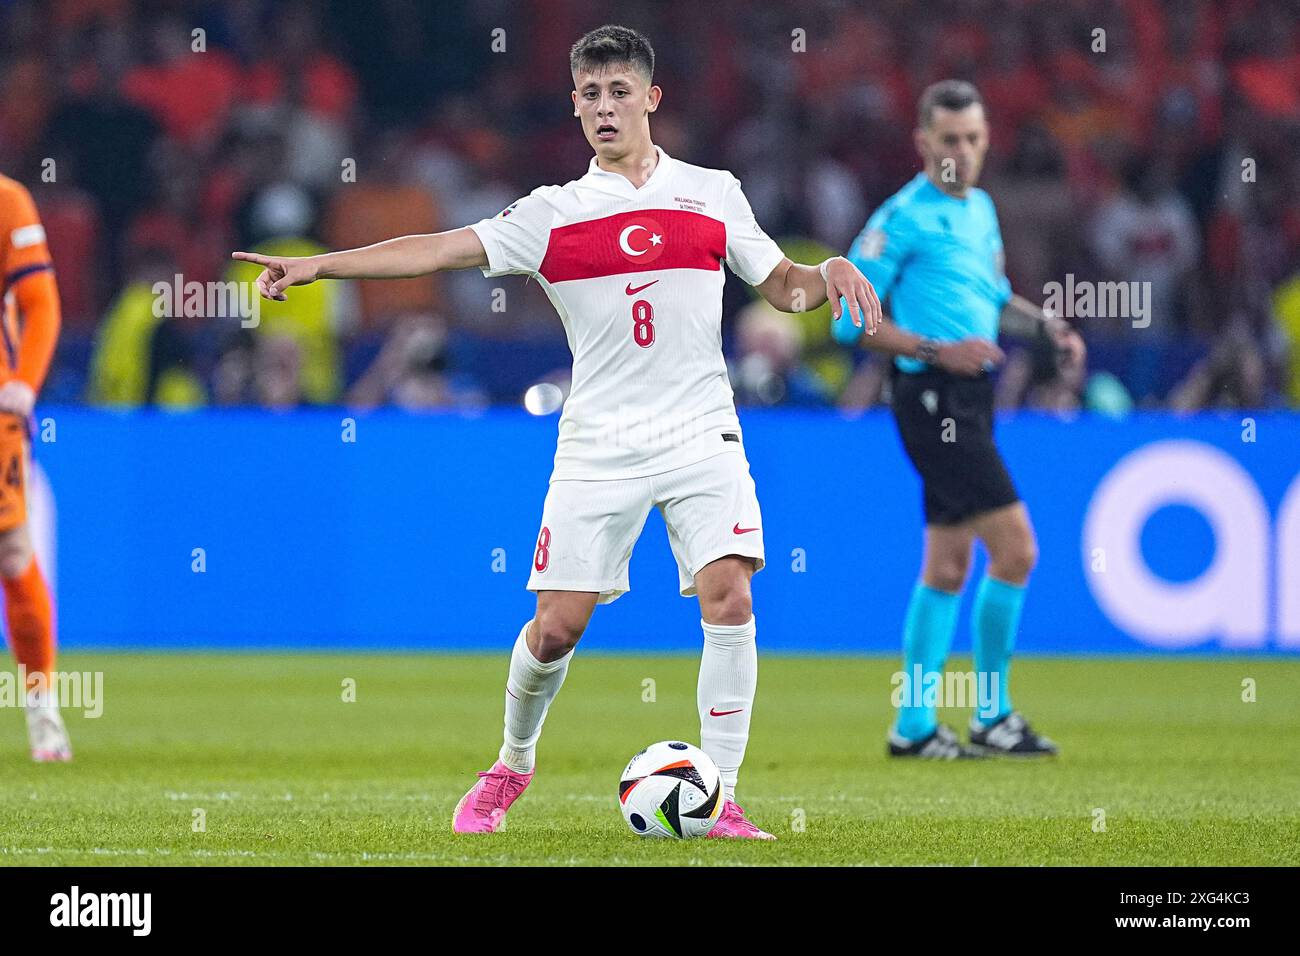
1150 141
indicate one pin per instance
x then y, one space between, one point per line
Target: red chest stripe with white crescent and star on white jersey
630 243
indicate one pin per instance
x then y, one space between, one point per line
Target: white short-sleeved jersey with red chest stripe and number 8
636 278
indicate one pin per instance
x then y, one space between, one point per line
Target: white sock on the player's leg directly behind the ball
729 676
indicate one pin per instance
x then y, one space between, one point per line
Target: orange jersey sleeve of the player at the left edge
32 314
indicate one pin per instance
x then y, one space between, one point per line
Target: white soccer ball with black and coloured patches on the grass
671 790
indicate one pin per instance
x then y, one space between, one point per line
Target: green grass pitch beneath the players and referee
285 772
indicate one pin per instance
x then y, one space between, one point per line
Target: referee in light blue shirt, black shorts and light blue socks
935 249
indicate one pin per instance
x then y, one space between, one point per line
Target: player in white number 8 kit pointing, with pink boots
631 257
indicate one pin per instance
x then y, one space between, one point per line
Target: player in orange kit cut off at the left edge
31 330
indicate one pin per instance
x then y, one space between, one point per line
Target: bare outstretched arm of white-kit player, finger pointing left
402 258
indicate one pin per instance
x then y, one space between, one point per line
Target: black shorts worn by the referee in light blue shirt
947 427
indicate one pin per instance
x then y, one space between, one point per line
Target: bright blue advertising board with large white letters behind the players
392 531
